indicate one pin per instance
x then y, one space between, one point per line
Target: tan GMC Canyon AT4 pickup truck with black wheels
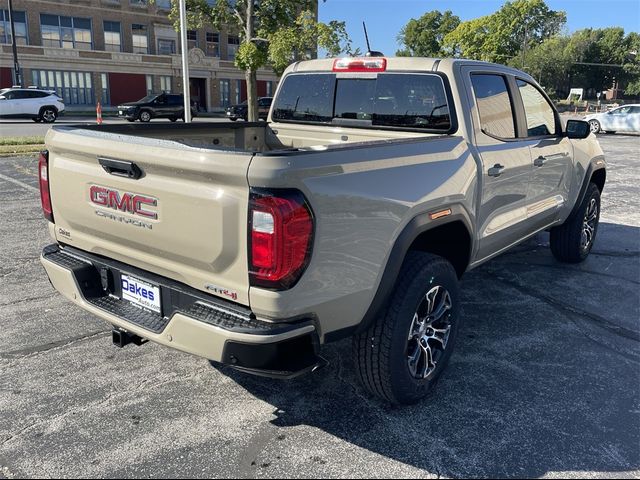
353 212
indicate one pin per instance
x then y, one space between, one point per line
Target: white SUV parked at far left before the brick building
39 105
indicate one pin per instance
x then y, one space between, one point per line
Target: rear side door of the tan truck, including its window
506 162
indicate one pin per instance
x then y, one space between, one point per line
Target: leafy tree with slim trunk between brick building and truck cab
272 32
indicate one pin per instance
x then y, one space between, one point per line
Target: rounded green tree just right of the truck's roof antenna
423 37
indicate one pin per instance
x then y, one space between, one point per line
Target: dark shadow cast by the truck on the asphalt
545 377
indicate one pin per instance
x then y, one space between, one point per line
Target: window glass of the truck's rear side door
494 105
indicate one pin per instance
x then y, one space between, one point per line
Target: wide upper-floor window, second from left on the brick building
65 32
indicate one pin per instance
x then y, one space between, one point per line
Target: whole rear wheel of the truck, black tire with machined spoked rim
401 356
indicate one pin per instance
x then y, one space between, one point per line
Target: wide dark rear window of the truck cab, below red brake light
393 100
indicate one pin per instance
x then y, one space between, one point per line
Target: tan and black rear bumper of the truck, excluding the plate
191 321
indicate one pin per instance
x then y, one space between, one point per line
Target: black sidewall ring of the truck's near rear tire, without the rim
406 388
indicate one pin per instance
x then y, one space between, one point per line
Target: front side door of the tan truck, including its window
551 153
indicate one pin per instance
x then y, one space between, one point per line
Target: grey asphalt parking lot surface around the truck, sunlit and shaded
545 380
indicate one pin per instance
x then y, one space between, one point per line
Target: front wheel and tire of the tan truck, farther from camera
572 241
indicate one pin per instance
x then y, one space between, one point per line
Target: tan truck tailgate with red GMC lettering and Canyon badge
200 198
